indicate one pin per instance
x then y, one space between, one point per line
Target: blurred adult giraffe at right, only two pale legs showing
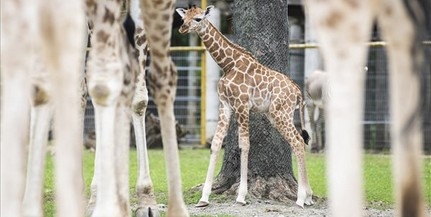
343 27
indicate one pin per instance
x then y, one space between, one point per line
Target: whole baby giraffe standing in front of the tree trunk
248 86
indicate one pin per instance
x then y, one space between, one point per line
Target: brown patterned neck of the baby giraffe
223 51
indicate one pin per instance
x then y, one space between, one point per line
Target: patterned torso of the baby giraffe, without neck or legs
249 81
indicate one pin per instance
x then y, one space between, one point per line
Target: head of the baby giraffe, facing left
193 18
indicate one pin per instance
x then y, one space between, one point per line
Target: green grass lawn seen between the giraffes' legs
194 163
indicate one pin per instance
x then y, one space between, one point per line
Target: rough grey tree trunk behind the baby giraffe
262 28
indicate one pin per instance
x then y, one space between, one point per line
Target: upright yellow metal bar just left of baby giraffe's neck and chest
203 89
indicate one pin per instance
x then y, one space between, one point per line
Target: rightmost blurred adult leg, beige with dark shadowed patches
398 26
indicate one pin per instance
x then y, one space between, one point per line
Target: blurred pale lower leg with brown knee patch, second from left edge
41 114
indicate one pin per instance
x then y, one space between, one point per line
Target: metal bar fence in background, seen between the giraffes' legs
376 117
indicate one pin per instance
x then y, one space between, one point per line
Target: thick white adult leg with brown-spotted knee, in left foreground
111 85
